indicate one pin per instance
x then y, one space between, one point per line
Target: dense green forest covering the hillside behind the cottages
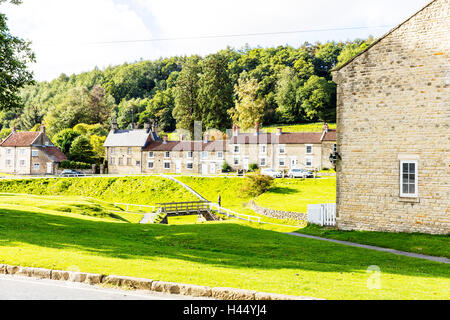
266 85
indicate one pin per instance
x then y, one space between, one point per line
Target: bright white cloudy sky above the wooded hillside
73 36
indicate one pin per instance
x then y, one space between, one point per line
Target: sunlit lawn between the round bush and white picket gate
295 195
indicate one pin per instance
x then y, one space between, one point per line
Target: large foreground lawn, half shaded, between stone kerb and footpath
227 253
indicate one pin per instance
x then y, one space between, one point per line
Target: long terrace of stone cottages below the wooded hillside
143 151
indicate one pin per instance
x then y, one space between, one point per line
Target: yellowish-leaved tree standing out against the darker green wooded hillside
249 108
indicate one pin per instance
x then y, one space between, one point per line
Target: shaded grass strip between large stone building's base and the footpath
435 245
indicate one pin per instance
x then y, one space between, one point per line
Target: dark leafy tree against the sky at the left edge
15 54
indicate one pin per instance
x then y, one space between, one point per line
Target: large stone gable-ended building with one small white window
393 114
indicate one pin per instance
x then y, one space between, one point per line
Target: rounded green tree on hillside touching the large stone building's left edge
317 99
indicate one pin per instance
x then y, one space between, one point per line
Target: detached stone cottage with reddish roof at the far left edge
29 153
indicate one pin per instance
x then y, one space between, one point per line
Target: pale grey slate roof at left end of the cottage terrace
128 138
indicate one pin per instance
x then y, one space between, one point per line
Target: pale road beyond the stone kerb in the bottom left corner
23 288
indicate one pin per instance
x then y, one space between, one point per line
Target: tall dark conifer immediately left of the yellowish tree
215 92
